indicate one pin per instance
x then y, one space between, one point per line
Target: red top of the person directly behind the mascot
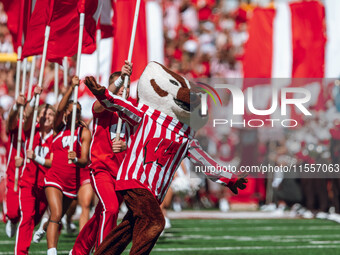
104 132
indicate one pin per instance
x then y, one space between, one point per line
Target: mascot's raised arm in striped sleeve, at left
111 102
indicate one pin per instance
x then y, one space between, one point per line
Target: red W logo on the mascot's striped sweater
160 150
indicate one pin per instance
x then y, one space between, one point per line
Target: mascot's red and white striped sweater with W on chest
157 144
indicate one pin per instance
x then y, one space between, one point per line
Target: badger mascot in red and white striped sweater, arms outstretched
159 138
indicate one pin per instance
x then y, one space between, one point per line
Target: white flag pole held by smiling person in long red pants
41 75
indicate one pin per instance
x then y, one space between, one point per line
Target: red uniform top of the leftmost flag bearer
11 152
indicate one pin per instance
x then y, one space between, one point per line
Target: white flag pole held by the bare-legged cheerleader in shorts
75 93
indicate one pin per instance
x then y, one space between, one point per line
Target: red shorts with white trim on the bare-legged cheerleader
67 182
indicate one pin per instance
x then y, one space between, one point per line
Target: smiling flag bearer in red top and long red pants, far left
31 193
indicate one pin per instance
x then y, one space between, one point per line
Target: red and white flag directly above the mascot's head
149 44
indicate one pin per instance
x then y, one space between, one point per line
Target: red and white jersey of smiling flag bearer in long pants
34 173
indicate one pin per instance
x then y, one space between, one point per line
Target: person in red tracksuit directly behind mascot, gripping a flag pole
106 154
